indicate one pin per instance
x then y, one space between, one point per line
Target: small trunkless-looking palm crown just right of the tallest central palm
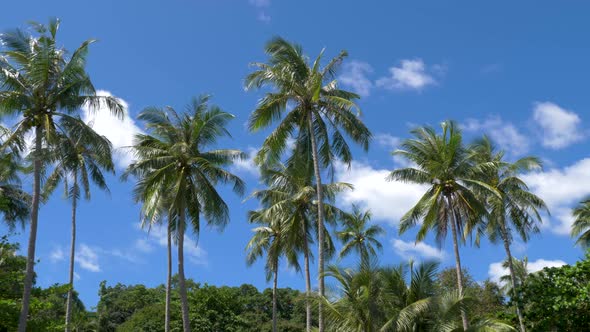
357 235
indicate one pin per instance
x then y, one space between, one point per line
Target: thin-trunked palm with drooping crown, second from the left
81 155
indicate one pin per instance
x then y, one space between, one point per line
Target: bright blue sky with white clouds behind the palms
515 70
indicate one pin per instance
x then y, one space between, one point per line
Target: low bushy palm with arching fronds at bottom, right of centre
401 298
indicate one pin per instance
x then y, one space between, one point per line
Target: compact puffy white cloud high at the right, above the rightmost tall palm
560 127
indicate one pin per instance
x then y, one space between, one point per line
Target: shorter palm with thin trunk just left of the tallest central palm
271 238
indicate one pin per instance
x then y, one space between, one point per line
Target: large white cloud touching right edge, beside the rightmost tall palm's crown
561 188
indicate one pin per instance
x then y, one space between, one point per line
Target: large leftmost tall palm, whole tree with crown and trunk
41 83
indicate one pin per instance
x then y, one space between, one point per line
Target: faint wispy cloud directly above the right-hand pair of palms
505 134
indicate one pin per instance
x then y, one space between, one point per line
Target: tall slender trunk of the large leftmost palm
28 282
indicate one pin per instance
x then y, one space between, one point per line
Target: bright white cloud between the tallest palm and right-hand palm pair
388 201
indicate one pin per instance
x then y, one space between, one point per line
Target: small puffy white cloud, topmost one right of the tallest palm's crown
410 75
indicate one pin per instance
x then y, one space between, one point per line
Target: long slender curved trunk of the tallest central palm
318 179
